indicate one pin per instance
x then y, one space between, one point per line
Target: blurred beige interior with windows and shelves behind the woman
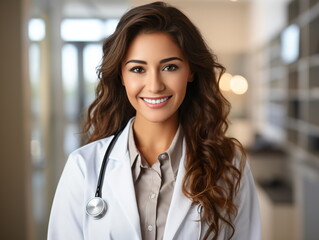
48 59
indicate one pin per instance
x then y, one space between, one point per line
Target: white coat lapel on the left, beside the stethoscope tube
121 183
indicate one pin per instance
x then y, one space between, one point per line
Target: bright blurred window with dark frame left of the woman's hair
81 56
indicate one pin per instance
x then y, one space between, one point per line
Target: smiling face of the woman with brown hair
155 75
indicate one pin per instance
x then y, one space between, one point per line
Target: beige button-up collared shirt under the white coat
154 185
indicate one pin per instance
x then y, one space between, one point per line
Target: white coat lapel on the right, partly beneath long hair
180 204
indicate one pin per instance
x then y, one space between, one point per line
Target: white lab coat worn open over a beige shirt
69 221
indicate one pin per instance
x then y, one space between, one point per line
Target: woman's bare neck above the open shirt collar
153 136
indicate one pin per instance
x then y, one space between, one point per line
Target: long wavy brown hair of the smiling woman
212 176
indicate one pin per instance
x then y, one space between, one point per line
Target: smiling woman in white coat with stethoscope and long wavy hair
172 173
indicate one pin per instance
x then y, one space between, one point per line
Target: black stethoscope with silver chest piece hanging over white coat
97 207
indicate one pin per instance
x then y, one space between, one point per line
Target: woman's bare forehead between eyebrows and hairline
156 45
